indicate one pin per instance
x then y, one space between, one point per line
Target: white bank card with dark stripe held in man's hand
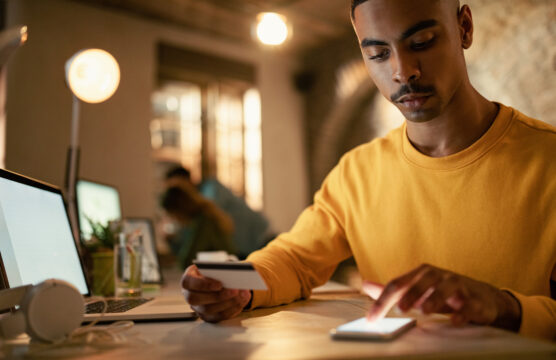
232 275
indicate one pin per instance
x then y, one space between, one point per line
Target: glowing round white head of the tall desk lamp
93 75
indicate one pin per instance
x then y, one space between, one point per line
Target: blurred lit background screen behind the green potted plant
98 202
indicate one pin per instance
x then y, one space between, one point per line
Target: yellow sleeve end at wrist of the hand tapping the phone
538 316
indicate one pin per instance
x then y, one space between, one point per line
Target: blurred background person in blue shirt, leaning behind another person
249 229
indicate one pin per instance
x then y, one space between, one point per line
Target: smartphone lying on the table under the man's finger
384 329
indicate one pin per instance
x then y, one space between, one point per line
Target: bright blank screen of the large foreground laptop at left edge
37 243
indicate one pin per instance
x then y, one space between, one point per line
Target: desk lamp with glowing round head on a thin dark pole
93 76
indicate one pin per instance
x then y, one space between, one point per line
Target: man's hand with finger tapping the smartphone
435 290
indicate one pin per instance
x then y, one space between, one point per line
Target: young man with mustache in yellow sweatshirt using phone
455 211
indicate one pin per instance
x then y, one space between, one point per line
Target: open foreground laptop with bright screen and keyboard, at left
37 244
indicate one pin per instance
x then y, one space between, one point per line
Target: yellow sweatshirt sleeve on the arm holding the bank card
304 258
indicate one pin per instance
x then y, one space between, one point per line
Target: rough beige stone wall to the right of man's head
513 56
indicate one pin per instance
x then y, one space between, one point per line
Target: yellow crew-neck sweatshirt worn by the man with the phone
487 212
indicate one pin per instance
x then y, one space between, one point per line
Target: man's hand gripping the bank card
207 297
